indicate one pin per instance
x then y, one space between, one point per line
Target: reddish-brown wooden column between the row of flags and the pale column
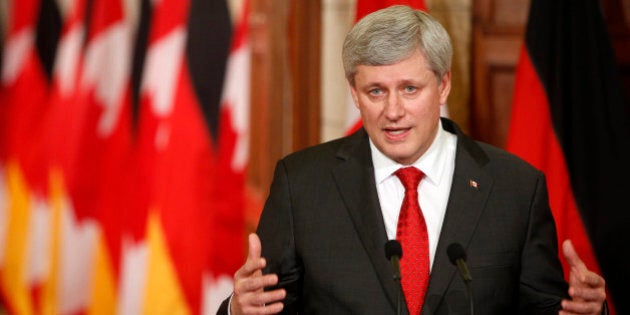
285 38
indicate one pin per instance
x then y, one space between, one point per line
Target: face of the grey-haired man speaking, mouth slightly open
400 106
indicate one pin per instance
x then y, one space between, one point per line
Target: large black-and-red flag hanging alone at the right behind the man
570 119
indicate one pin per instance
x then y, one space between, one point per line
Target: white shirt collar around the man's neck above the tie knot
432 163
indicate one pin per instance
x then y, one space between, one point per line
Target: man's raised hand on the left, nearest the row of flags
249 283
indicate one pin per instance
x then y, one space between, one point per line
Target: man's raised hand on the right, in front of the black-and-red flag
586 288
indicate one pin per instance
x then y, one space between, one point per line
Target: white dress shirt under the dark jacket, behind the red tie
438 165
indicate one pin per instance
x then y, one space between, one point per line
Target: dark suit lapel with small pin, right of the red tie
470 189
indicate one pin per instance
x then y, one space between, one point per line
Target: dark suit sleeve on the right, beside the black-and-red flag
542 284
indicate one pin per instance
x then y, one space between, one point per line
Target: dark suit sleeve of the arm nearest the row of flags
276 233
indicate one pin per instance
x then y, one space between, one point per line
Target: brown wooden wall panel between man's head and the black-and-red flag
498 28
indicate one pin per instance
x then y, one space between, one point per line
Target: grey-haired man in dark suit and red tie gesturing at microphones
332 207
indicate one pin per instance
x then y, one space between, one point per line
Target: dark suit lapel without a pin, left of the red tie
355 181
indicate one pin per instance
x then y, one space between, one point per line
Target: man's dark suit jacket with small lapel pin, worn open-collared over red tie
322 232
